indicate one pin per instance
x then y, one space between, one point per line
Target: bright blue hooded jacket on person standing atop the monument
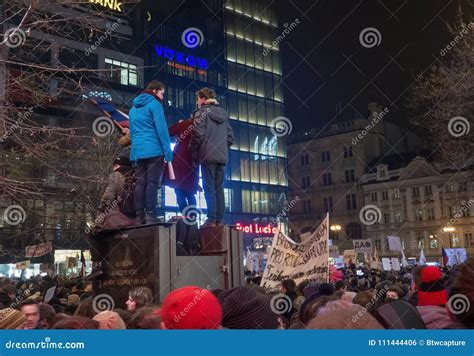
148 129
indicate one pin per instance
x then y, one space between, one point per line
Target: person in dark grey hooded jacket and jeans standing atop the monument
210 140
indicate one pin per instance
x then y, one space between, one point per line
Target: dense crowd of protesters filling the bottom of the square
414 298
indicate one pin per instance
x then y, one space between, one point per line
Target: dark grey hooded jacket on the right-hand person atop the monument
212 135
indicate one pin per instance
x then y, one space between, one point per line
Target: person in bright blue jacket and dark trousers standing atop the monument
150 149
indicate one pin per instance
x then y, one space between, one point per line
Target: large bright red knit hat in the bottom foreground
191 308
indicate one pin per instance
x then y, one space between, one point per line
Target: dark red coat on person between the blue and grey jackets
185 170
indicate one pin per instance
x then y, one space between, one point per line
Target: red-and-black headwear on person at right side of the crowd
432 290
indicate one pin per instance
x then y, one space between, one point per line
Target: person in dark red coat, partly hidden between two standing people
186 182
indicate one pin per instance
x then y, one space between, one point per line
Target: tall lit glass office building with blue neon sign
237 57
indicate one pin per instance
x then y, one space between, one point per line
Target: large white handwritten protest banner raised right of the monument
305 261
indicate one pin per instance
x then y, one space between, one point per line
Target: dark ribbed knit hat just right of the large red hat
244 308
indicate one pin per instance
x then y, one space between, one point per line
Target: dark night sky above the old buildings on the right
324 63
